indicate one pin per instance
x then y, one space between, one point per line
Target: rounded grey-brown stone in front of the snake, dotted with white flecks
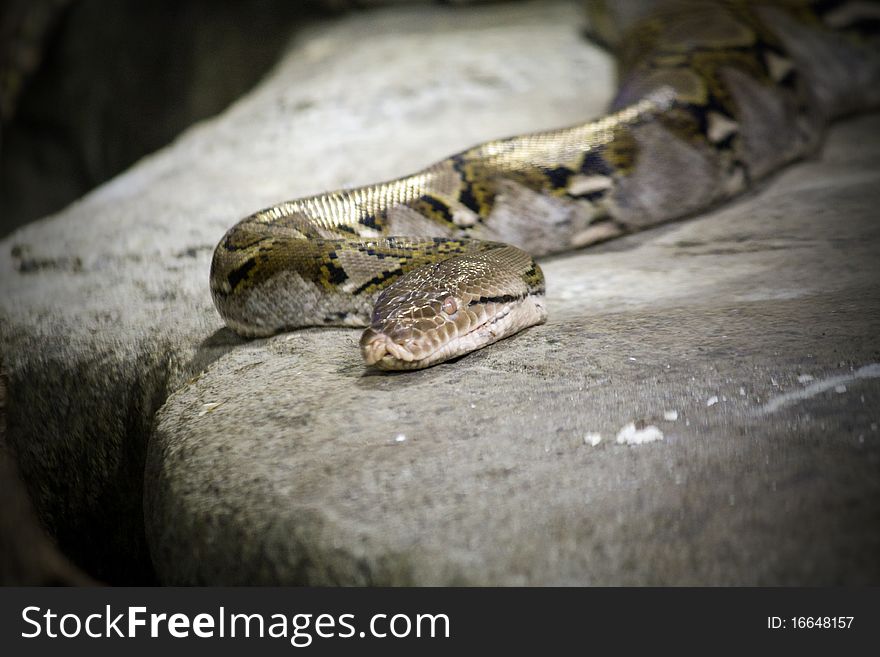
482 471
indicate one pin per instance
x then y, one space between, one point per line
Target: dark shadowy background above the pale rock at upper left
88 87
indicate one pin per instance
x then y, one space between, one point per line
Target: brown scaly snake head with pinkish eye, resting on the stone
447 309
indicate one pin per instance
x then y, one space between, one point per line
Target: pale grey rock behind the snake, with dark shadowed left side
105 307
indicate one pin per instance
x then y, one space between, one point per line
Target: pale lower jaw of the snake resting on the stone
382 352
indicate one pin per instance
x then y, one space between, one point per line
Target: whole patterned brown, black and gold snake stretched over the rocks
712 98
